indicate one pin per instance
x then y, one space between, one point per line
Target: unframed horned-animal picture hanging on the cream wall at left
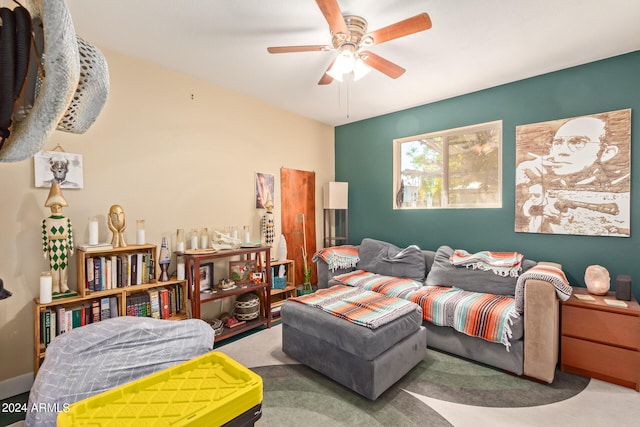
58 166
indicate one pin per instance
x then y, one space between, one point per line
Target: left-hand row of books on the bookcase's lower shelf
58 320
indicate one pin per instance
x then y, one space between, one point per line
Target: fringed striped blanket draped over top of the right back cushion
501 263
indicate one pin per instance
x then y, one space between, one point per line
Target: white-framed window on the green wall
457 168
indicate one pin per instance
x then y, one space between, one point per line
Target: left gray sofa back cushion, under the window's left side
389 260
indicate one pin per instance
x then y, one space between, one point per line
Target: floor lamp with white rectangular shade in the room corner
336 213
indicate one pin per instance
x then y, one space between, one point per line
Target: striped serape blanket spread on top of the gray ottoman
357 305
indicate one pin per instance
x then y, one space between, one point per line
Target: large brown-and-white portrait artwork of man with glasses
573 175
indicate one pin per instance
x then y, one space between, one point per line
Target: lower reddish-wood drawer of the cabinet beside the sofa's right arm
613 364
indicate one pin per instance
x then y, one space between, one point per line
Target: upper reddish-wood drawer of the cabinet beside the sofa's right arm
601 326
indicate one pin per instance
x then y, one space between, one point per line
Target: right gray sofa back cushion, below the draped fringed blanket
443 273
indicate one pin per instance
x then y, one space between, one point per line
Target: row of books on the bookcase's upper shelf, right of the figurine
117 271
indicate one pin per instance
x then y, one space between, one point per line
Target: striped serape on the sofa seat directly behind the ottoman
398 287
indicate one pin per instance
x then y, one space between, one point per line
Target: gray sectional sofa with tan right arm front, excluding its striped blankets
533 349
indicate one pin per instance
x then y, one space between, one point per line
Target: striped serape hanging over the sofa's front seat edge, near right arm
475 314
